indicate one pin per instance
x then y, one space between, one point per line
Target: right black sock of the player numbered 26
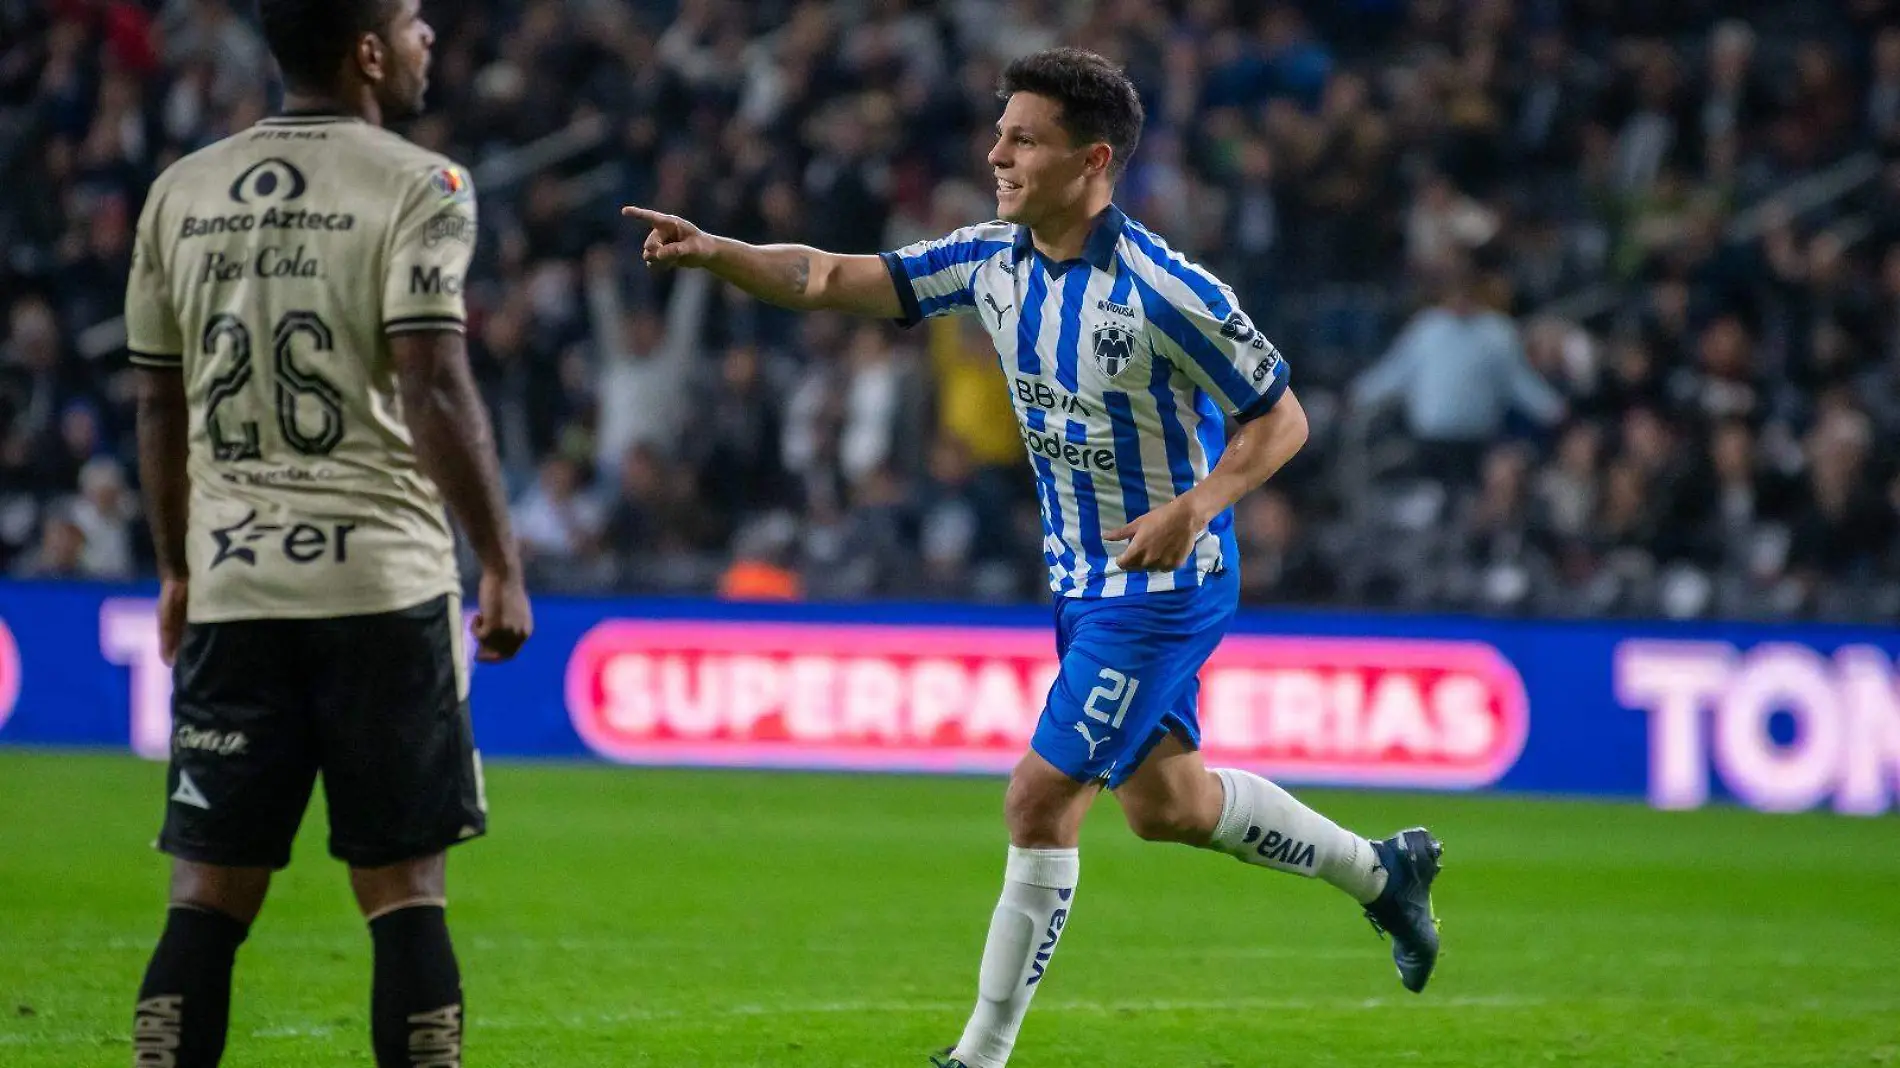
417 995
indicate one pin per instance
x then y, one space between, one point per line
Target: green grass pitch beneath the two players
702 921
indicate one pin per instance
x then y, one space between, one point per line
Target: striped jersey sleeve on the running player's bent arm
1204 332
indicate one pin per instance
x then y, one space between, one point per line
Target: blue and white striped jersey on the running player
1122 366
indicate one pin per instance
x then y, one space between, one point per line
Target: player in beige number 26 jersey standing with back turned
305 415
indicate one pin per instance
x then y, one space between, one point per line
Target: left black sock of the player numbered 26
185 1001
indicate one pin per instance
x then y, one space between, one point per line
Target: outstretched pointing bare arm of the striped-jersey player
791 277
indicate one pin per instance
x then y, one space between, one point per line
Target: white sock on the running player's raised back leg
1264 826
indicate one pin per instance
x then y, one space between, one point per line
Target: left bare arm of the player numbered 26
164 423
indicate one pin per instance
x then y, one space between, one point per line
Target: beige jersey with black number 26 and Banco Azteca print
273 269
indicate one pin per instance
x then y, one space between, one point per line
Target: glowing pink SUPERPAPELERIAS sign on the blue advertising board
1405 714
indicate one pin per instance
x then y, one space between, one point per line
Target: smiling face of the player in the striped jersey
1040 170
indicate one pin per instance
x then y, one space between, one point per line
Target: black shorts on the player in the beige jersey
377 704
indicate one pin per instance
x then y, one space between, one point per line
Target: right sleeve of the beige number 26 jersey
430 254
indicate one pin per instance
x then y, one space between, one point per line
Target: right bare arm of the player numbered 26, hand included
455 448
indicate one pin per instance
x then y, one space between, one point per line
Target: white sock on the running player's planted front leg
1038 890
